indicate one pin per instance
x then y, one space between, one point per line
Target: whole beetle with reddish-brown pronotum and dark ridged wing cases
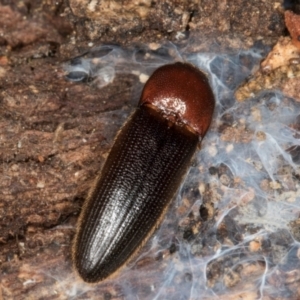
143 170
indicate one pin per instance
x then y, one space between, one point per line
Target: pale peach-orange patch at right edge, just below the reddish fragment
283 52
